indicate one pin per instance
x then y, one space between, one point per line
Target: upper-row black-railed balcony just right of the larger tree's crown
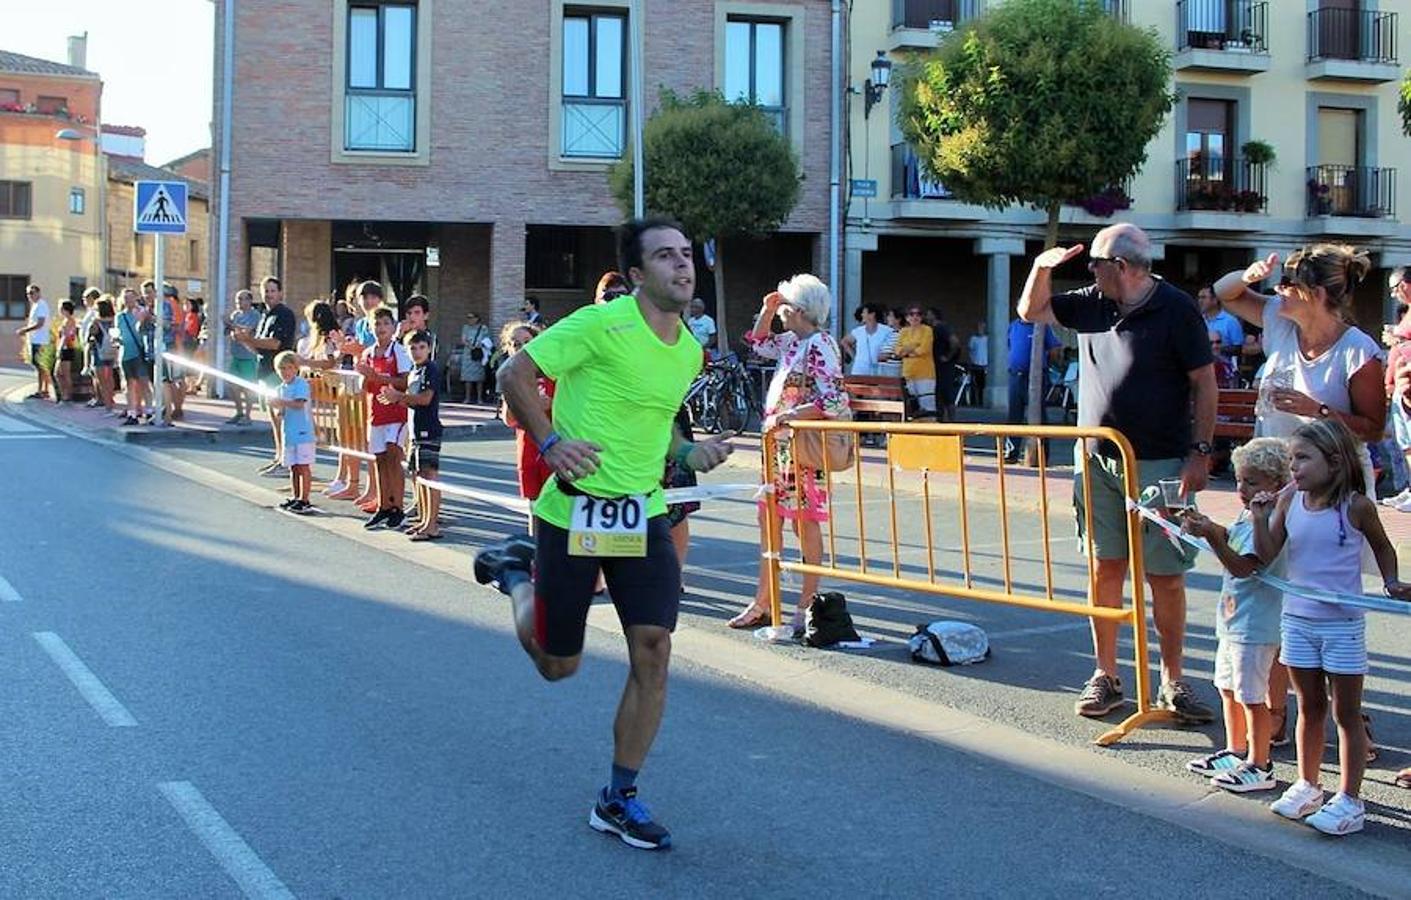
1223 36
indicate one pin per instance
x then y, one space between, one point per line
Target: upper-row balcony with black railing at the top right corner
1358 46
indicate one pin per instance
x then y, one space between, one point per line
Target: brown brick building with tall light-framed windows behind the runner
366 133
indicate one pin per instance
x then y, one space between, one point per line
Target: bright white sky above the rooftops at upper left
155 59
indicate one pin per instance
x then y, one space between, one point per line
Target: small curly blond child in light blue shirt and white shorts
1247 626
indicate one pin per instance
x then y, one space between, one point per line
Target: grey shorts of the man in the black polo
1110 513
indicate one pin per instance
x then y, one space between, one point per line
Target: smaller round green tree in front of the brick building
719 169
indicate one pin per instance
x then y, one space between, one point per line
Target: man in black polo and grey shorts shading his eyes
1145 369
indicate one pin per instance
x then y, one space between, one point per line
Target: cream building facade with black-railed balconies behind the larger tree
1314 80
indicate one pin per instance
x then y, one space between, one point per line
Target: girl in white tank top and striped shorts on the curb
1326 523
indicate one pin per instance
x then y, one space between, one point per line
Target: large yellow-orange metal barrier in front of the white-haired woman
935 449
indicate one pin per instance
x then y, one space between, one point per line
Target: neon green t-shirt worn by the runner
619 387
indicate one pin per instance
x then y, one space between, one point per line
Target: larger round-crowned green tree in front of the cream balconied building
1038 102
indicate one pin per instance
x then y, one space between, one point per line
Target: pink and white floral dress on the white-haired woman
809 373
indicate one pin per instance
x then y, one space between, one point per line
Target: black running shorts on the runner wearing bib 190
646 590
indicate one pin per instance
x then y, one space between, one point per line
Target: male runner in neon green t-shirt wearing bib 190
623 370
